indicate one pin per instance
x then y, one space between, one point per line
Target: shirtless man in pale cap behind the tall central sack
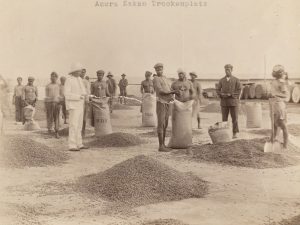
184 88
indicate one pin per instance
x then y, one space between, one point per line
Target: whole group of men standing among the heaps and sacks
74 92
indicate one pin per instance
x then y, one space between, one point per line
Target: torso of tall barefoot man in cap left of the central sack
161 83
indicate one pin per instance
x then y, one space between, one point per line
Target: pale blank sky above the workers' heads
39 36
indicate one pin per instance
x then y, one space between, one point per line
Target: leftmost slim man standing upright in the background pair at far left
17 100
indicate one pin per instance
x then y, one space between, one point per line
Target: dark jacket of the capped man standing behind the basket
232 87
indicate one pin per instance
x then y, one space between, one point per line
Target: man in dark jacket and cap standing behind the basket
229 89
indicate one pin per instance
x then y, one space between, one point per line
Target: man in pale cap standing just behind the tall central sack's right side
198 97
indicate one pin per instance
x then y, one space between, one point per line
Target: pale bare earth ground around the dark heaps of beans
243 196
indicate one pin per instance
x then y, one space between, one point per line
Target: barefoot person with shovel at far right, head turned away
278 94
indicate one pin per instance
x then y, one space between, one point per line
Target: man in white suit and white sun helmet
75 94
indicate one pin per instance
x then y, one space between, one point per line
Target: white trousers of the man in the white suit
75 126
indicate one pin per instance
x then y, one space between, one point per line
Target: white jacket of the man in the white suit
74 89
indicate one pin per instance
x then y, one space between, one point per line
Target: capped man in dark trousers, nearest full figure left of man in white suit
52 103
